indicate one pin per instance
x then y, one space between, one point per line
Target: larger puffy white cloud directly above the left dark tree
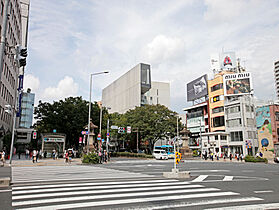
65 88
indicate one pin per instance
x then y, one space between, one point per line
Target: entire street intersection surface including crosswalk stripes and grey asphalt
139 184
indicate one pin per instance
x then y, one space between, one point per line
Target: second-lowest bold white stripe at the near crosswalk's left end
118 195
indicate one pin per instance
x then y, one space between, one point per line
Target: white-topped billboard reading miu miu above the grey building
237 84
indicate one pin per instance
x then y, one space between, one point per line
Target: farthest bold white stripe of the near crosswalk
94 184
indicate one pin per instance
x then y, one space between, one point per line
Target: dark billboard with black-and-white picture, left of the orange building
197 88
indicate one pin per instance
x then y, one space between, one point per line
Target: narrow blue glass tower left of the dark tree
27 109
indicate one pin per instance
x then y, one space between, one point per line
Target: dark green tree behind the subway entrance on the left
67 116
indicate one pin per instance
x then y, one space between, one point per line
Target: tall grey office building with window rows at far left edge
9 71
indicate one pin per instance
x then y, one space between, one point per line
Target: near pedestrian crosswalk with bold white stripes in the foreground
128 193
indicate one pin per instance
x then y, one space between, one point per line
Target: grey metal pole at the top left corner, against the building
3 35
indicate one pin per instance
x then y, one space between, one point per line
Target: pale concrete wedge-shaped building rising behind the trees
135 89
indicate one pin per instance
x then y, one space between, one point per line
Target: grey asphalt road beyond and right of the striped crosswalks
249 179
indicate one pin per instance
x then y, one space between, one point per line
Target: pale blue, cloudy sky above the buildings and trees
69 39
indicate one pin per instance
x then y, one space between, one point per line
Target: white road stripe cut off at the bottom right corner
250 207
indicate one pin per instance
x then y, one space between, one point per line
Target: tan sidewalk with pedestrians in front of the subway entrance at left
45 162
